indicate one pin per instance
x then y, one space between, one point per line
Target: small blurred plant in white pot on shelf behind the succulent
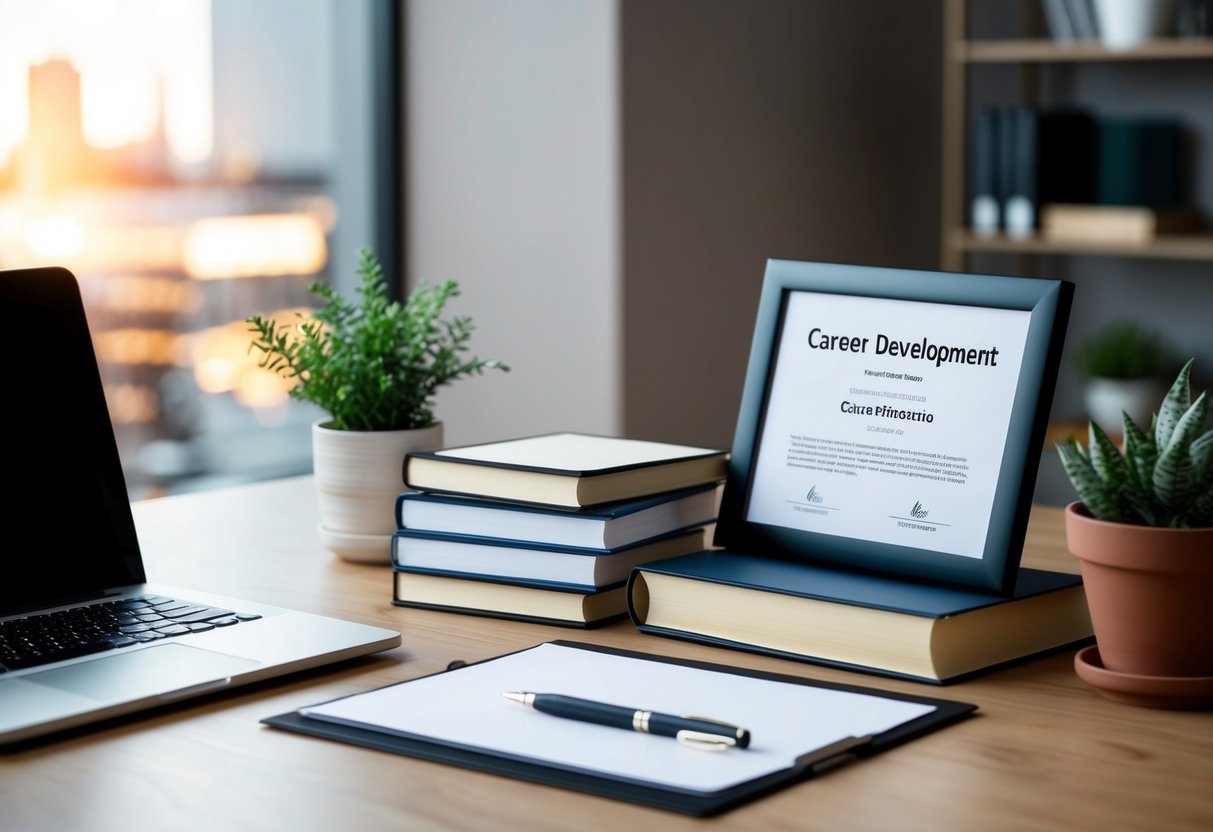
1123 366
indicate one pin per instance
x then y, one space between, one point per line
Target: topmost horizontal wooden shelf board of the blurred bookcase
1049 52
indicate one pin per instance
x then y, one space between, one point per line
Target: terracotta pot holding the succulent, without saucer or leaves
1151 592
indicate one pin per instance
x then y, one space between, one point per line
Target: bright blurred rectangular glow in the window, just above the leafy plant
220 248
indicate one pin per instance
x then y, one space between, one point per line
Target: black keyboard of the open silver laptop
39 640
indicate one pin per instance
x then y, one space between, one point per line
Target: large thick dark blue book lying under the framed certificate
857 622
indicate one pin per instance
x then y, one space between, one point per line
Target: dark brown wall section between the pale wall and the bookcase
756 130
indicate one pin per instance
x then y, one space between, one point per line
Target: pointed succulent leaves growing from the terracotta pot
1164 478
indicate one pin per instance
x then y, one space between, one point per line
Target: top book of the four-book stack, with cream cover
571 470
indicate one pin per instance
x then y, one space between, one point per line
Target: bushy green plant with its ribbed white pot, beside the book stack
375 367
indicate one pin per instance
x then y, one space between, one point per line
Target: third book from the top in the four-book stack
491 559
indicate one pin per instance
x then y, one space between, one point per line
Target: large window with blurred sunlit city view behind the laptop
193 163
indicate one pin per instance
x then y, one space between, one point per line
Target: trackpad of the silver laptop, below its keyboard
132 676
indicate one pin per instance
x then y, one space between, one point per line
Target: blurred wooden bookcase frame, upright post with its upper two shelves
961 56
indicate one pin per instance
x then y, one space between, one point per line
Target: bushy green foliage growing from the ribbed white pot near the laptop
374 366
